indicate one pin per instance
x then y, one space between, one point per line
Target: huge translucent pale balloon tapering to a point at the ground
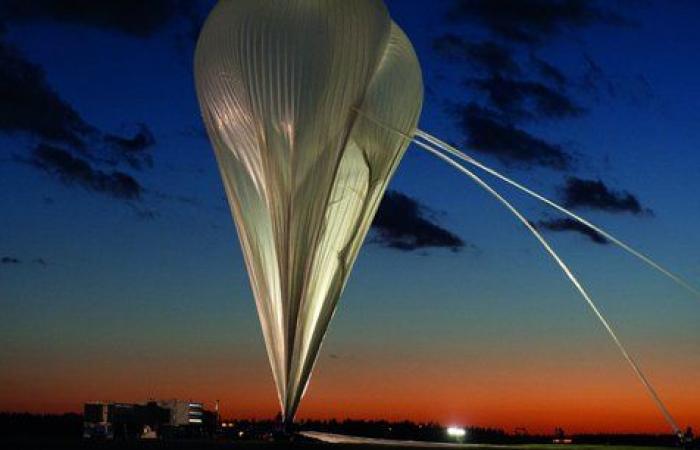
281 84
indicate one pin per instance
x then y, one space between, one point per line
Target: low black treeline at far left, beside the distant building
45 425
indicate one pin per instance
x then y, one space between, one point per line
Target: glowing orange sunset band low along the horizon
536 398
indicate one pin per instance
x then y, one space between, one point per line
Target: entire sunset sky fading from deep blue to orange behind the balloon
121 277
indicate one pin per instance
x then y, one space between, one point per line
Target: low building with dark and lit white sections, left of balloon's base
165 418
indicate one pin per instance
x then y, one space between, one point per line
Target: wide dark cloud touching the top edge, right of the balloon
531 21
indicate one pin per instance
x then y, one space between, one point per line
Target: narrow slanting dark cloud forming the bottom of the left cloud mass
74 170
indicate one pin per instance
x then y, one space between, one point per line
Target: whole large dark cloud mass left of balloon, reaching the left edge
68 145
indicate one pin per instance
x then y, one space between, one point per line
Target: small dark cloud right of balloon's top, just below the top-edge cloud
486 55
